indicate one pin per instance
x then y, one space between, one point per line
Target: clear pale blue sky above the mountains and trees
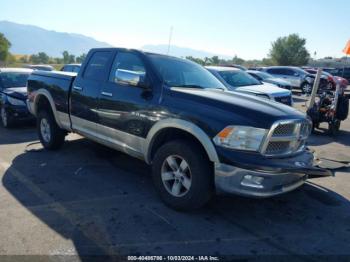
228 27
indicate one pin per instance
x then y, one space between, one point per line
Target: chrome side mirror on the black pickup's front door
127 77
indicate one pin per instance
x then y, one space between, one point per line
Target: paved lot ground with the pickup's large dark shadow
88 199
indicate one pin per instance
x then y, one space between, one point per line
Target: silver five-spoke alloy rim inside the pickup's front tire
176 175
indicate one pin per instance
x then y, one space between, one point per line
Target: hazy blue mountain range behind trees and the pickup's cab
29 39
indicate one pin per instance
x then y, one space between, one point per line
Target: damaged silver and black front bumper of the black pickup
266 181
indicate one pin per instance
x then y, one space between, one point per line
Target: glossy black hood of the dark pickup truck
231 107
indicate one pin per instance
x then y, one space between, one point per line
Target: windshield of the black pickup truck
177 72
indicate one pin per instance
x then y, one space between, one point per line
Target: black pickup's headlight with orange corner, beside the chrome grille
241 137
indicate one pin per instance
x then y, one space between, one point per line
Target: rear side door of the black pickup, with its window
86 91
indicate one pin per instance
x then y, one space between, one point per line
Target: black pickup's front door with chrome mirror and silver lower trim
126 108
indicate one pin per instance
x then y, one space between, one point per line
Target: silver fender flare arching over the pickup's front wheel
187 128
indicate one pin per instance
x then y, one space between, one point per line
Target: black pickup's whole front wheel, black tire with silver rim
198 186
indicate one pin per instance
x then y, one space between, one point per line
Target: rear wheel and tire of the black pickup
50 134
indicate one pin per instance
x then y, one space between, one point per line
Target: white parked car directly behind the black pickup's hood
240 81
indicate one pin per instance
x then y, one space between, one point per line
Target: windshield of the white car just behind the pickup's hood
238 78
